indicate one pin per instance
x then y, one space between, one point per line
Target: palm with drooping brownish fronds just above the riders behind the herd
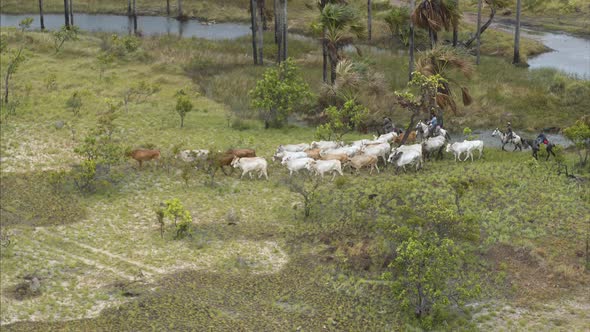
440 61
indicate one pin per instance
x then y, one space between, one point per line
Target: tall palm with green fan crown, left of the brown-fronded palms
336 20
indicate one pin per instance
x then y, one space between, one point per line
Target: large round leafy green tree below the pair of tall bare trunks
279 93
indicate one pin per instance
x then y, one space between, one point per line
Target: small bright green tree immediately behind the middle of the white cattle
341 120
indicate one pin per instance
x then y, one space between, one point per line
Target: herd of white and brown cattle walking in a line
325 157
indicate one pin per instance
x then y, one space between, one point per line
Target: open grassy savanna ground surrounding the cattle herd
252 263
